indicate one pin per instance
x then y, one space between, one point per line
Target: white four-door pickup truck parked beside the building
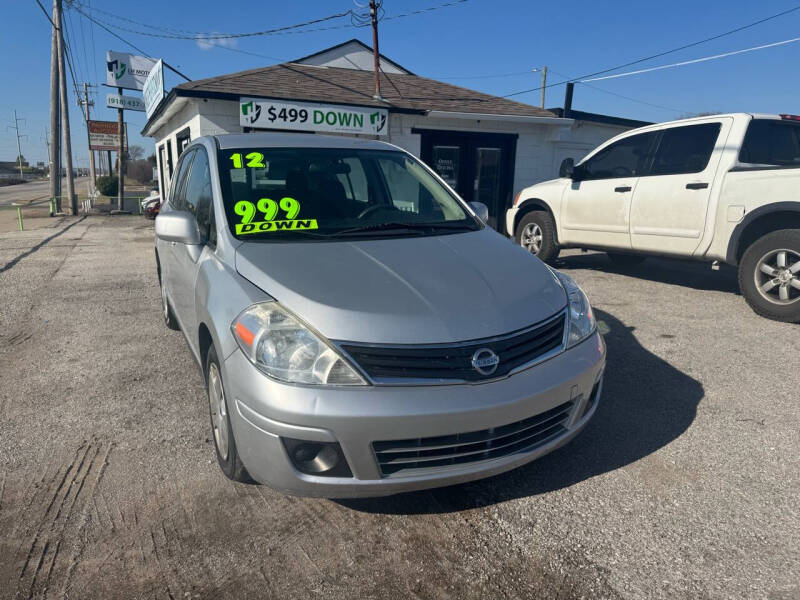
722 188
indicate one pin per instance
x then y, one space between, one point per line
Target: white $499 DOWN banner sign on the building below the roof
307 116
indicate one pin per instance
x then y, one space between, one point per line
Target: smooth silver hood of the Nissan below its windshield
416 290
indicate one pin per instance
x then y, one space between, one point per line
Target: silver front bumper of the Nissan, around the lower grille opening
262 411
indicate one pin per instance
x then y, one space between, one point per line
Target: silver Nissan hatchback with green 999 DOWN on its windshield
361 331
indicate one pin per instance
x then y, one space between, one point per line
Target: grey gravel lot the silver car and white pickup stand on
684 486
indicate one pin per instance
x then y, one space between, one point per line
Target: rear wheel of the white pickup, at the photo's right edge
769 275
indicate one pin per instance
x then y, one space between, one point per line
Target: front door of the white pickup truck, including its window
596 205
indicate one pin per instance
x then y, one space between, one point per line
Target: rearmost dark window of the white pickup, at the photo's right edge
771 142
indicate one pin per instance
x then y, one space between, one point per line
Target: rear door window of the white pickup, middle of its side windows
685 149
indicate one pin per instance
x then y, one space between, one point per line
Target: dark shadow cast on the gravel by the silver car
646 404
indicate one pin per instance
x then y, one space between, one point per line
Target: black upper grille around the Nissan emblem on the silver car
386 364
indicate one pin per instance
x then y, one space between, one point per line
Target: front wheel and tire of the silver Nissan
221 431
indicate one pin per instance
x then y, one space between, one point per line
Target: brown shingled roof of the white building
403 93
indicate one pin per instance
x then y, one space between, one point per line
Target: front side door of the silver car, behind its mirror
197 199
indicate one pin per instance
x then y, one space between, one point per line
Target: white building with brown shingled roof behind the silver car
486 147
